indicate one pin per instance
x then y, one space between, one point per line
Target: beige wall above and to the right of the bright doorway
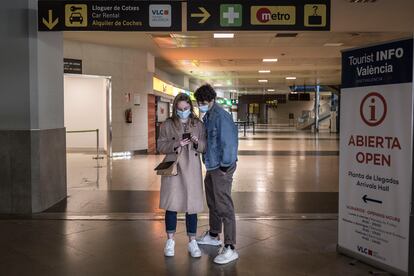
130 70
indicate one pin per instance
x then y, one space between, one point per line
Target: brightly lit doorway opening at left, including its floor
87 118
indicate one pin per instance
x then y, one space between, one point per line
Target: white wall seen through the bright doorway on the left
85 109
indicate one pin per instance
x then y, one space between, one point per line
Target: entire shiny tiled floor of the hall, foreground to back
111 224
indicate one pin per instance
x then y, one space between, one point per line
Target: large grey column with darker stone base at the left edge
32 133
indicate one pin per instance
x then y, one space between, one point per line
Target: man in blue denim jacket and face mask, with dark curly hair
220 161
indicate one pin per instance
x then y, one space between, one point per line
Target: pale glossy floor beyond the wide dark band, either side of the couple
269 165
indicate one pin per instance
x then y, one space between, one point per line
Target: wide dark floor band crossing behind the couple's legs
88 203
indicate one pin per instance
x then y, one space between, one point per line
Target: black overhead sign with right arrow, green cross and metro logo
256 15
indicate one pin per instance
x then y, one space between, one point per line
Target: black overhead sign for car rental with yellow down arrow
109 16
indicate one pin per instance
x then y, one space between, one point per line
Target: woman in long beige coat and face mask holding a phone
183 192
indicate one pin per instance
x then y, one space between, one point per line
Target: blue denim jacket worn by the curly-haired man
222 139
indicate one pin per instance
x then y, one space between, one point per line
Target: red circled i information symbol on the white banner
373 109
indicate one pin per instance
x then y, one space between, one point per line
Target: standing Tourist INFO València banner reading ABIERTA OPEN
375 175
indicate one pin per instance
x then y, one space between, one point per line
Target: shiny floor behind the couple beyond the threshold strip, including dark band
278 173
